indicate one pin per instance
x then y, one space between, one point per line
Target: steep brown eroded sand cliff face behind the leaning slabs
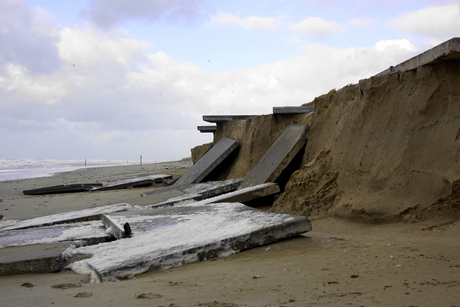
383 149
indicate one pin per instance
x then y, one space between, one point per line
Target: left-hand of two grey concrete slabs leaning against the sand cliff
211 159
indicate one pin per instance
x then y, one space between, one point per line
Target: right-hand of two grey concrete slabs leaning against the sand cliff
278 156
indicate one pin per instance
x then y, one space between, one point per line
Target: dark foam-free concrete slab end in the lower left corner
32 259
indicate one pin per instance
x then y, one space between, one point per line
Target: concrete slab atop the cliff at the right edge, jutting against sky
449 50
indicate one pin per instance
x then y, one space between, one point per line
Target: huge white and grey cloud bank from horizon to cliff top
109 98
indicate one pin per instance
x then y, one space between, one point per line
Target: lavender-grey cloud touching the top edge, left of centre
107 14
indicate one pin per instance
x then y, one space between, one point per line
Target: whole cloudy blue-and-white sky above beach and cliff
117 79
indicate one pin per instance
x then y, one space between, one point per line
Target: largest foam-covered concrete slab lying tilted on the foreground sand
186 233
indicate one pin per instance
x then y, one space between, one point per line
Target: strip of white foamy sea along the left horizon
14 169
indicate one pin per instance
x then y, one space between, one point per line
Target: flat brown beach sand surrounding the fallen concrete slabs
338 263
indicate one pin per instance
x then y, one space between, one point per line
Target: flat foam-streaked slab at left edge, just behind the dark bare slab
87 232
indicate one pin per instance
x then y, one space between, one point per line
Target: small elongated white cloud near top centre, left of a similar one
251 22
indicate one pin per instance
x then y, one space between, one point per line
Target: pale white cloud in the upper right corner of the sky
439 22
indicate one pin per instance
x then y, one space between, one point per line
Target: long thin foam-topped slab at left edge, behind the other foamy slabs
62 218
